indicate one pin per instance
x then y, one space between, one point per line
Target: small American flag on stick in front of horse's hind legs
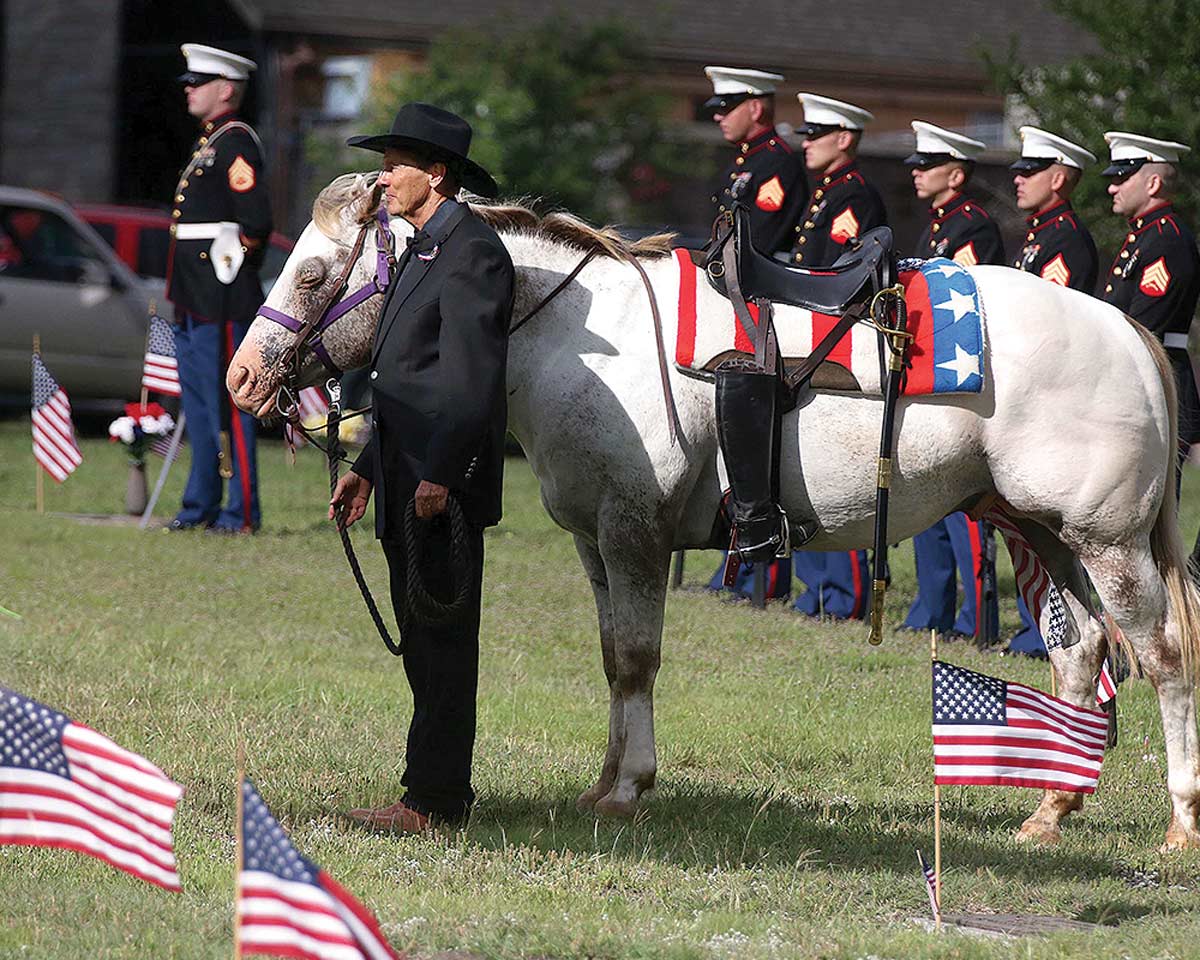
991 731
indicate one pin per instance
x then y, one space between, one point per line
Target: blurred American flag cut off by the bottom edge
289 907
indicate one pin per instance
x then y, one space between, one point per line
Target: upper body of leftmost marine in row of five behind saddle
743 105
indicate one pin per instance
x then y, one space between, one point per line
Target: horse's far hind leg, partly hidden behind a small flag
1075 667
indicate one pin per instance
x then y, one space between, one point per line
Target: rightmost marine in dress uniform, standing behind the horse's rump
1156 275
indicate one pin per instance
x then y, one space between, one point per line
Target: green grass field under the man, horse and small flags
795 763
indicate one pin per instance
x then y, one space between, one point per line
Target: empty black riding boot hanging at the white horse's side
748 430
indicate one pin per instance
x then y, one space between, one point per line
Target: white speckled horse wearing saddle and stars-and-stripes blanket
1075 431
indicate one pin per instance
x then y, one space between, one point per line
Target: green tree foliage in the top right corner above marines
1143 77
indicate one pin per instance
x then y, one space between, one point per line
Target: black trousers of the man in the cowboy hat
442 664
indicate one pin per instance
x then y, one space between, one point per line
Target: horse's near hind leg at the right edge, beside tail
1132 590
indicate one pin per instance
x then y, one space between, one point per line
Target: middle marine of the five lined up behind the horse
962 231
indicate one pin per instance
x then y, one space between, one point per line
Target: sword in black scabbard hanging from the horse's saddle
890 316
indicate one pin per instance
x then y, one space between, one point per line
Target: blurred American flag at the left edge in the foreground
63 785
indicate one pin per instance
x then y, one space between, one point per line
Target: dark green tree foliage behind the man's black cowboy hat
556 111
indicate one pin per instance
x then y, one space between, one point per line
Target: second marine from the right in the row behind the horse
1059 249
